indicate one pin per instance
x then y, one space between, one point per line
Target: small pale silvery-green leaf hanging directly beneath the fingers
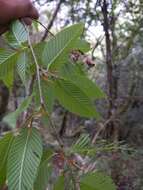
19 32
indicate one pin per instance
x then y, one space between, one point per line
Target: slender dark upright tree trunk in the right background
112 127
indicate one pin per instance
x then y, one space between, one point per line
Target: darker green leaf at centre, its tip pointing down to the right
73 99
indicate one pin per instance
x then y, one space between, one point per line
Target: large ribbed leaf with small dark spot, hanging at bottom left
24 159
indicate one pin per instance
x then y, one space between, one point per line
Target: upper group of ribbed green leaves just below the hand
59 77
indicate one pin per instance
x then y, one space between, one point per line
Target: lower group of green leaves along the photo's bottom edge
26 165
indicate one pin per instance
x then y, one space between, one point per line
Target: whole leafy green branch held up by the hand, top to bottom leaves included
24 163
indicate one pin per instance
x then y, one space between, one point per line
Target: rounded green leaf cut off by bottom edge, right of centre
97 181
